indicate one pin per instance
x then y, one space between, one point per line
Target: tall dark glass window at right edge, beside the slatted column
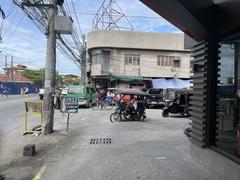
228 96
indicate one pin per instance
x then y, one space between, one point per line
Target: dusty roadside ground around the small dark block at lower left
12 163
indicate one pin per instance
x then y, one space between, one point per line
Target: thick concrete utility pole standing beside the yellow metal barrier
50 71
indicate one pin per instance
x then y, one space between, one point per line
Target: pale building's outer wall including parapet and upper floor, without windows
148 45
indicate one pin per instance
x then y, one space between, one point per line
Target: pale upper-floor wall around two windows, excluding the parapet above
148 64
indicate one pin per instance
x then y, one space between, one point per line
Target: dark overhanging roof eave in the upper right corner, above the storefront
200 19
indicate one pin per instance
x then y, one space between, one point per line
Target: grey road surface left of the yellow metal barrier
12 112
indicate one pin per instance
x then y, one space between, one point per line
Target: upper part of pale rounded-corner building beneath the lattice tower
131 59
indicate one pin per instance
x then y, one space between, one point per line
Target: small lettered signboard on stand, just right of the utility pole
70 105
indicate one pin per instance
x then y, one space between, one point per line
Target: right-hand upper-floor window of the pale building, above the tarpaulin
171 61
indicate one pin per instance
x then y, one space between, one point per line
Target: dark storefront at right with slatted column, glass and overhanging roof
215 26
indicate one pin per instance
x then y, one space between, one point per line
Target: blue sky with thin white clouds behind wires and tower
23 41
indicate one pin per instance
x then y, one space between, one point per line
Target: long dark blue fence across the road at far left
15 87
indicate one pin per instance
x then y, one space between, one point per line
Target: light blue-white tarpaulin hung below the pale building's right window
174 83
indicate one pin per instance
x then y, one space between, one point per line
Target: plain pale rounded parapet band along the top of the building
135 40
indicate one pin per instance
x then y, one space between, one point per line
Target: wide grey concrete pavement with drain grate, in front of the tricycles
155 149
